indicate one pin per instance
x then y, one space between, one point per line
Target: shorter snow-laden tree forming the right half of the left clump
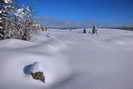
25 23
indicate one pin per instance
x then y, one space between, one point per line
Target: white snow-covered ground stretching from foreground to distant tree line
69 60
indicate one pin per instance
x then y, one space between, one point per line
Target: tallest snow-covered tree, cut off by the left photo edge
6 8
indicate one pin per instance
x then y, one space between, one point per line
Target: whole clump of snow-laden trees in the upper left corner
15 22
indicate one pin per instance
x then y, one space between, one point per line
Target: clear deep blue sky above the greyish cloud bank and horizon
101 12
